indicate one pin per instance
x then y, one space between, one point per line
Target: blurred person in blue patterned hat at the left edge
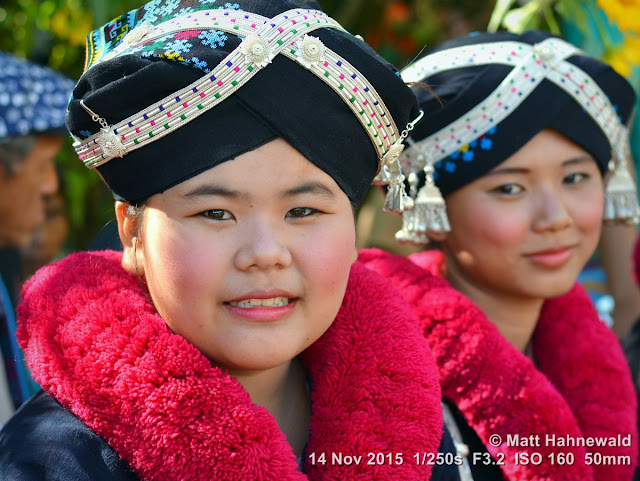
33 103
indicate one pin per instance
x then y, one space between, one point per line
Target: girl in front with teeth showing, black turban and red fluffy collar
235 337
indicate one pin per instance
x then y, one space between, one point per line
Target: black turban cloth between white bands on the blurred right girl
459 90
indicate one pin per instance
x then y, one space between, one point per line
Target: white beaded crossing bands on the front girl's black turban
263 39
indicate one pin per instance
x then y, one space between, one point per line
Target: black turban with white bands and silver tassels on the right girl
450 150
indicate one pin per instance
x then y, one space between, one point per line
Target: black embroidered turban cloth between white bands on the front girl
282 100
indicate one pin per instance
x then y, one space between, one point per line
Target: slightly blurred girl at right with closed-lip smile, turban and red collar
519 149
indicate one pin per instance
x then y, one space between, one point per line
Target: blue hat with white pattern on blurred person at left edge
33 98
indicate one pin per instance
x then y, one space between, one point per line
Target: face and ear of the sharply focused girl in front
248 261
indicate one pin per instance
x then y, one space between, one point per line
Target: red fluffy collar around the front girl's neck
94 342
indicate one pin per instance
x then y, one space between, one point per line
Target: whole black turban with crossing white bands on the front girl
132 65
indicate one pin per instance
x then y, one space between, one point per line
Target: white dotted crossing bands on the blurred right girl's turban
531 64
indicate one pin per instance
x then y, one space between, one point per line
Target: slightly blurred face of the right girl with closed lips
527 228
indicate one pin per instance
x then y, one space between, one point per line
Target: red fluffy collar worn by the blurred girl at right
581 388
